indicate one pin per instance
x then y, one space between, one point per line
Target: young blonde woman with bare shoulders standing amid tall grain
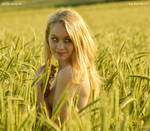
69 41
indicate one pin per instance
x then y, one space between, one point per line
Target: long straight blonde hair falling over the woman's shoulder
84 54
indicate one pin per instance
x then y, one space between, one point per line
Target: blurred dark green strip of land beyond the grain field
54 3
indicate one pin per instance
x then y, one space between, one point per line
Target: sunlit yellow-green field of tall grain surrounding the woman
122 35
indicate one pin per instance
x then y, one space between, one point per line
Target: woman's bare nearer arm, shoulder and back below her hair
64 82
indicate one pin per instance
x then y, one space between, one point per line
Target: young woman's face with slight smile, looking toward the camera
60 43
